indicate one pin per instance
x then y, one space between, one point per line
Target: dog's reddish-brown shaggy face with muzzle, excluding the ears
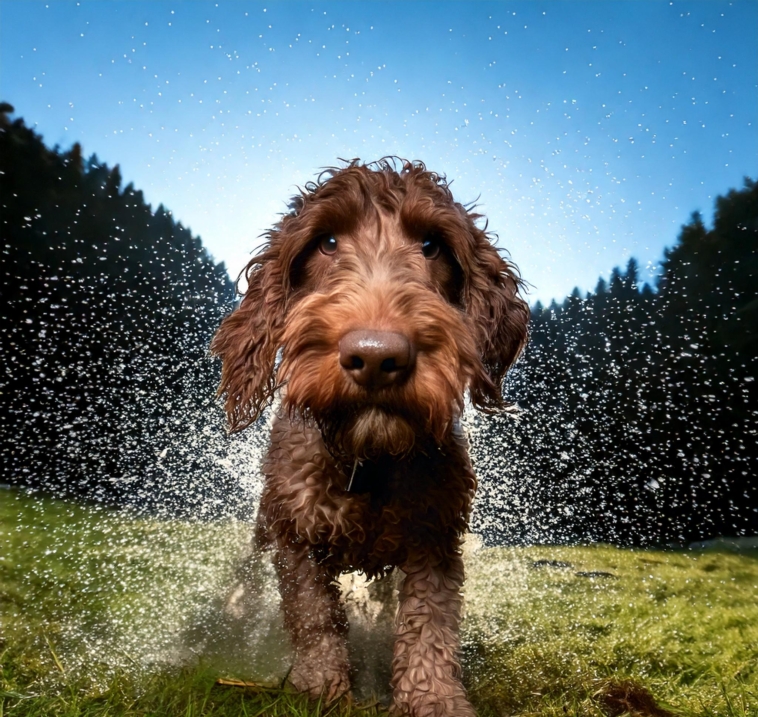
376 346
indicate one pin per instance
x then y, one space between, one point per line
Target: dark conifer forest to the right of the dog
639 419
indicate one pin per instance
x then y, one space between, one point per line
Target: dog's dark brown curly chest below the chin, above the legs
369 518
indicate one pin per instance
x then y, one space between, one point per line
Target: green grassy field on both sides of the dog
106 614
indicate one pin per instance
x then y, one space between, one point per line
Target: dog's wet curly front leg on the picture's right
426 673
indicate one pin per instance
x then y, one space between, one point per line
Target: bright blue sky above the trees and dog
589 130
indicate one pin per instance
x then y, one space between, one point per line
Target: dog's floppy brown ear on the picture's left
248 339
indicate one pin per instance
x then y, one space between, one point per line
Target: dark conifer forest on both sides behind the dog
638 408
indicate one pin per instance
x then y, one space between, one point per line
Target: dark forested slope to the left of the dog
108 306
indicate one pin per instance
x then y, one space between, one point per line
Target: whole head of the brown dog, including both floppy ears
388 302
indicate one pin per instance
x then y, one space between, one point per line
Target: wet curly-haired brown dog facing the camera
374 306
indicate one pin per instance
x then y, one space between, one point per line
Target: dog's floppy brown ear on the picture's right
499 314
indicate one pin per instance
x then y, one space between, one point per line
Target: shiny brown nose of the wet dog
375 359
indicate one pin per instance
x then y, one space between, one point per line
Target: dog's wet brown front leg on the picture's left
315 620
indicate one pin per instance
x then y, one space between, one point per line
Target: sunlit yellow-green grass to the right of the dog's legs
571 626
